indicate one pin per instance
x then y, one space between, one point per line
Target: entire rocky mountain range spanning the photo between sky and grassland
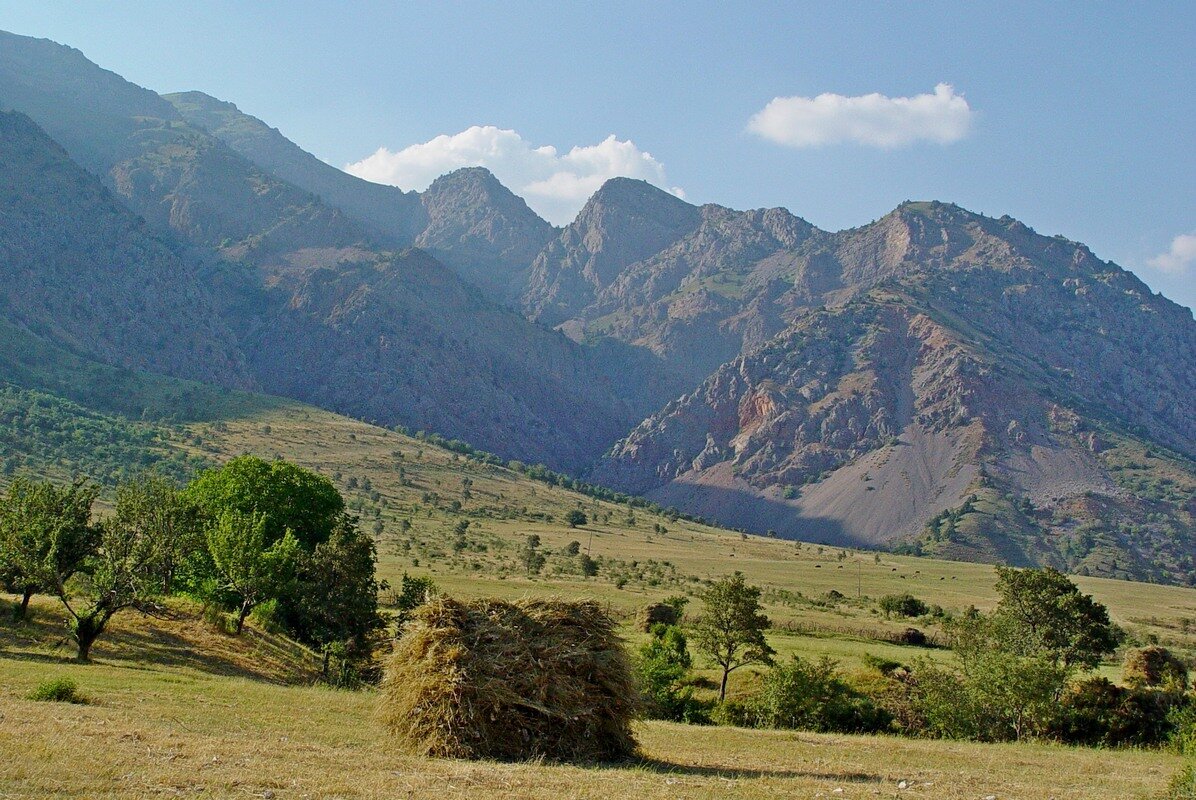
936 381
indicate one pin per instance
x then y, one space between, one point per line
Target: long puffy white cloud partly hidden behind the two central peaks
554 185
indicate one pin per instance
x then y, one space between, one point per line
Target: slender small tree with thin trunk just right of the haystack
731 630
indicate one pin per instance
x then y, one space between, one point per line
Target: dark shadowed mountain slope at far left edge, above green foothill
81 270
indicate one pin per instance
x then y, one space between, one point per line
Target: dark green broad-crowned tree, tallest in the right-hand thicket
1044 612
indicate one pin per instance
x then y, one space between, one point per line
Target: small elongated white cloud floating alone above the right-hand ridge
872 120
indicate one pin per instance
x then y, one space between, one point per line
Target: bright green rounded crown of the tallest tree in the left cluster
288 497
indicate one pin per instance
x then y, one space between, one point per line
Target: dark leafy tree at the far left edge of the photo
46 535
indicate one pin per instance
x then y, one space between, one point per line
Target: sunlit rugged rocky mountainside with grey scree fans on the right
895 420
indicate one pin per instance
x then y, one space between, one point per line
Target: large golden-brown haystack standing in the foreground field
511 681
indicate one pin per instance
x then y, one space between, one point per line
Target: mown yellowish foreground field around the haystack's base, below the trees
175 717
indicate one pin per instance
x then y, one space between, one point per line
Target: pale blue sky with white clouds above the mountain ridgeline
1078 120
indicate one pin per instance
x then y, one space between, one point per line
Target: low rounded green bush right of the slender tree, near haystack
813 697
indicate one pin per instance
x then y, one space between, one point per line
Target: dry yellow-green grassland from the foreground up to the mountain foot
181 710
